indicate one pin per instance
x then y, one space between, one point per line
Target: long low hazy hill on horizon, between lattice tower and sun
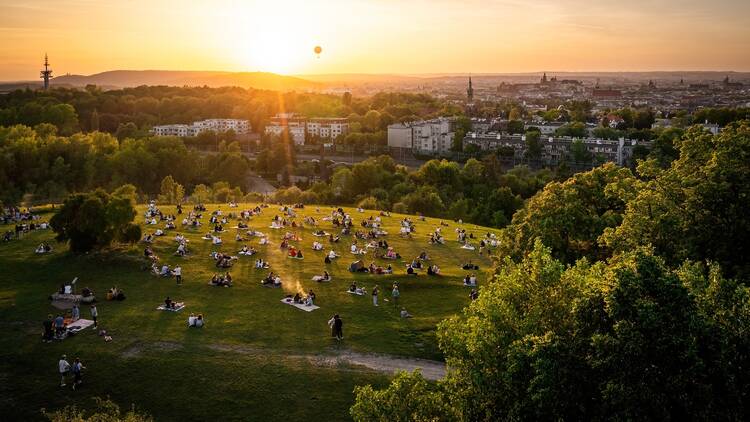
131 78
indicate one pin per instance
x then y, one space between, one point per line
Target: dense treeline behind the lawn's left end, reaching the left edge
38 164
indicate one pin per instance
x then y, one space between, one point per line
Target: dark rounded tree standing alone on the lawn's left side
94 220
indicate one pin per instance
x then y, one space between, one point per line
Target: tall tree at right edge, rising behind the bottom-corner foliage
697 208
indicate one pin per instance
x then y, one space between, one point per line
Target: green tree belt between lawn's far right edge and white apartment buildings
480 192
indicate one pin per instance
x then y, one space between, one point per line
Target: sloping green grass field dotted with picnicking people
256 359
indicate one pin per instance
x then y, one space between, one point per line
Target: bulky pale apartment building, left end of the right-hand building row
430 137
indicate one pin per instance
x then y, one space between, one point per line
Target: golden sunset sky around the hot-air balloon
373 36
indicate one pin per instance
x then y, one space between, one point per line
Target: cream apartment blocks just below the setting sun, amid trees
300 128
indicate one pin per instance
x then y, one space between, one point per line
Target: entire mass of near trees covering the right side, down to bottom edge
617 296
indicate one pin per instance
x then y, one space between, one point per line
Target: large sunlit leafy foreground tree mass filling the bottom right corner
624 340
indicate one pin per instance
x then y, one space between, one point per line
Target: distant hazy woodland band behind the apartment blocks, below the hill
133 111
